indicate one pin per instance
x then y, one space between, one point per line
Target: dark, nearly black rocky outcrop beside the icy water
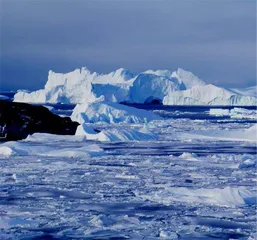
18 120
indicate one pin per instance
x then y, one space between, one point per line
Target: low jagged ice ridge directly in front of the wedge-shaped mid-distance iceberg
116 134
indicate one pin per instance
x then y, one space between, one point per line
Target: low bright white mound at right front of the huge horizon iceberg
208 95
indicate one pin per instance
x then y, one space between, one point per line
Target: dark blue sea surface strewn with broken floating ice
175 188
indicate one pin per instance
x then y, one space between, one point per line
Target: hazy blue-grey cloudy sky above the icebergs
216 40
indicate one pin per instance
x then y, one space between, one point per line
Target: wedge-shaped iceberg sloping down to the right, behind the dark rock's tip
111 113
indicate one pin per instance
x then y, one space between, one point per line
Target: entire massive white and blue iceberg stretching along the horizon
163 86
